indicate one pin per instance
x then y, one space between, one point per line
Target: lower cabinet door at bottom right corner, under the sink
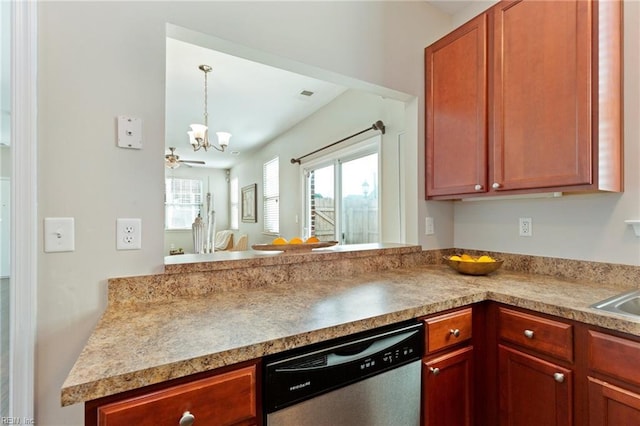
610 405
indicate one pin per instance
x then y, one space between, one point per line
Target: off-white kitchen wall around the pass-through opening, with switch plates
97 60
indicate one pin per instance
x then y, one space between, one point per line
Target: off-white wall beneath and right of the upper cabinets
586 227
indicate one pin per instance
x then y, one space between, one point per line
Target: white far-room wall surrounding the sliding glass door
348 114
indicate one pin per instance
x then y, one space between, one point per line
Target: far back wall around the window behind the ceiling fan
215 182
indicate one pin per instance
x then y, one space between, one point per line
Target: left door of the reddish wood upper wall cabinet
456 136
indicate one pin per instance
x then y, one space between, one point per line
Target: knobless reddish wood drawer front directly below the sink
614 356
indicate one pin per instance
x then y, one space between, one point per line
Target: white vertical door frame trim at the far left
23 245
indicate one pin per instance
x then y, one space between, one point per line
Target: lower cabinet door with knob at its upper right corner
533 392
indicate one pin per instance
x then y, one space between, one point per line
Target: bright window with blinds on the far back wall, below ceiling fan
183 201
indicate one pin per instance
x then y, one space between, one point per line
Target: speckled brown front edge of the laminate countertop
72 393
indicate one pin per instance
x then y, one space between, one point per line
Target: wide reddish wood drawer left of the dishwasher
225 399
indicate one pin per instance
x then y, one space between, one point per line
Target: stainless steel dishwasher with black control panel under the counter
370 379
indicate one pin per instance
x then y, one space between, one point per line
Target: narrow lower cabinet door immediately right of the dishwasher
447 389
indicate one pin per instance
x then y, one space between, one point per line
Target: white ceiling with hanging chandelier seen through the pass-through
252 101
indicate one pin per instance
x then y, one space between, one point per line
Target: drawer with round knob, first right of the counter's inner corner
543 335
